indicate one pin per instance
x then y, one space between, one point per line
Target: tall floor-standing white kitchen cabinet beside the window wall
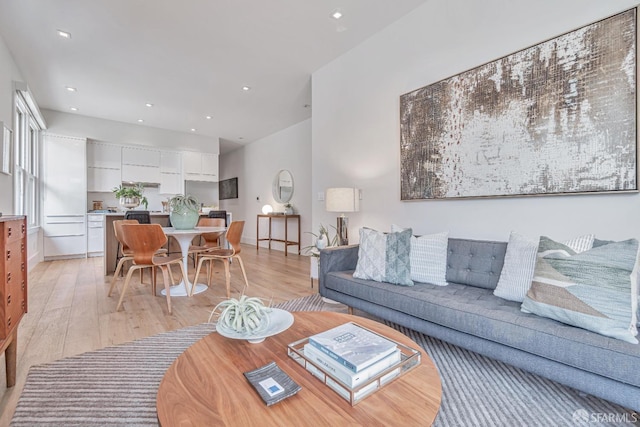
65 196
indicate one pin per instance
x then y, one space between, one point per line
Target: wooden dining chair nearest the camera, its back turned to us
144 240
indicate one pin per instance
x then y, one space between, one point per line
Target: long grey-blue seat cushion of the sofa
478 312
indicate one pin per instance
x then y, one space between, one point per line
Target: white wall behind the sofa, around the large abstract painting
356 131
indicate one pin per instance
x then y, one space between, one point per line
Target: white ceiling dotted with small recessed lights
190 58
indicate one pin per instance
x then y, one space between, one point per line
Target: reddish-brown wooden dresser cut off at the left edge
13 287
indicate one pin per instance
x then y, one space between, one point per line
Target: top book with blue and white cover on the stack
353 346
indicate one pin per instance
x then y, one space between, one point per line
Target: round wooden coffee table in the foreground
206 385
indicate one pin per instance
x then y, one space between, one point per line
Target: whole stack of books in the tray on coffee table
353 355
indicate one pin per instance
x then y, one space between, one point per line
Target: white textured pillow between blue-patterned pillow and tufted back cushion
428 257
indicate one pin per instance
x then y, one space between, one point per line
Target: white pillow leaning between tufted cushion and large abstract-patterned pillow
517 271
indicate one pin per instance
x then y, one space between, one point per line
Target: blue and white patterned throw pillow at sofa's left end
384 257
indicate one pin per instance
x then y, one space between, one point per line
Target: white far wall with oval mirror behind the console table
256 165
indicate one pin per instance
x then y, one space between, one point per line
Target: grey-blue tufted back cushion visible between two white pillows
475 262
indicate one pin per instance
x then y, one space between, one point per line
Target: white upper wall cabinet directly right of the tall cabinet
104 171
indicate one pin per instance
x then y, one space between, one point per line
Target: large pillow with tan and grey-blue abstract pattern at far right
595 289
